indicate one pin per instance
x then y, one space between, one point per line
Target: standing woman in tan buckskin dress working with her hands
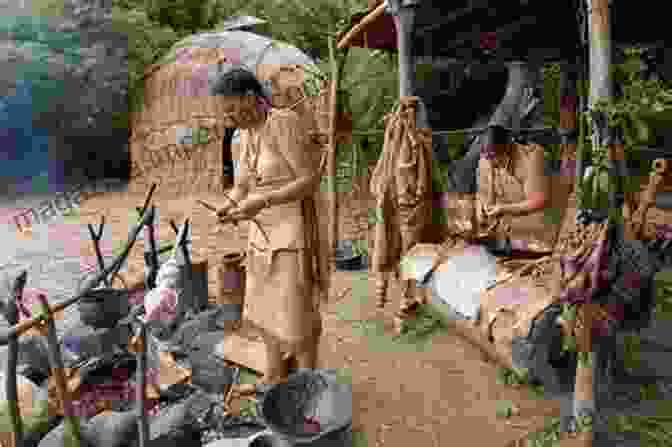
276 183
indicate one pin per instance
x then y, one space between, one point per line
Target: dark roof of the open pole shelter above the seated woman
533 29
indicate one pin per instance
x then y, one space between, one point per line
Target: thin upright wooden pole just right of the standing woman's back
333 196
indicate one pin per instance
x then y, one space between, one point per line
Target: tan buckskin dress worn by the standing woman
286 272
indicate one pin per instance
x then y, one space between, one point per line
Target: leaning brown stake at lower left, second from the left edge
72 434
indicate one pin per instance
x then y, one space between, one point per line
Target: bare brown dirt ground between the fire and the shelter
440 392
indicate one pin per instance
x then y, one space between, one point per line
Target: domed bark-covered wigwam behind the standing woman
178 138
